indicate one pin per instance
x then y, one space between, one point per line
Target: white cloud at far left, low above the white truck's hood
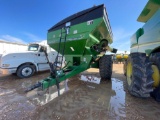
12 39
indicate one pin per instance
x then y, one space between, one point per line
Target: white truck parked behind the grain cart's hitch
25 64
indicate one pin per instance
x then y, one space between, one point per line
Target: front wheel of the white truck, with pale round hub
25 71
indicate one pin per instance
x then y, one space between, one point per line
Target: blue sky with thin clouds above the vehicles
27 21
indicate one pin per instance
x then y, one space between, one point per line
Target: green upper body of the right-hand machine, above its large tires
147 38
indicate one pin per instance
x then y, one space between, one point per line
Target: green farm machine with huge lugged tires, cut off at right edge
142 68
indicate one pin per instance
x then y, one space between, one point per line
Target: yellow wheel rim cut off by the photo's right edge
155 76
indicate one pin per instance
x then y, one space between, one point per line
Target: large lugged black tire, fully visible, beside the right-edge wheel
139 75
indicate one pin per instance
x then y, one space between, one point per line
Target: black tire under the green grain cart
105 67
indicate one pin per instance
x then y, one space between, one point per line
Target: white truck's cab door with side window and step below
42 60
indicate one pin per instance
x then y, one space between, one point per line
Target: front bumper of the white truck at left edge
6 71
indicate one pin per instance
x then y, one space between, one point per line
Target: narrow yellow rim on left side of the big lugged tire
129 73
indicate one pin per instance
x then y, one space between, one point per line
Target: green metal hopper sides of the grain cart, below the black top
81 35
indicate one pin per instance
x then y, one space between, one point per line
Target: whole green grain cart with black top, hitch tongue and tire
83 39
